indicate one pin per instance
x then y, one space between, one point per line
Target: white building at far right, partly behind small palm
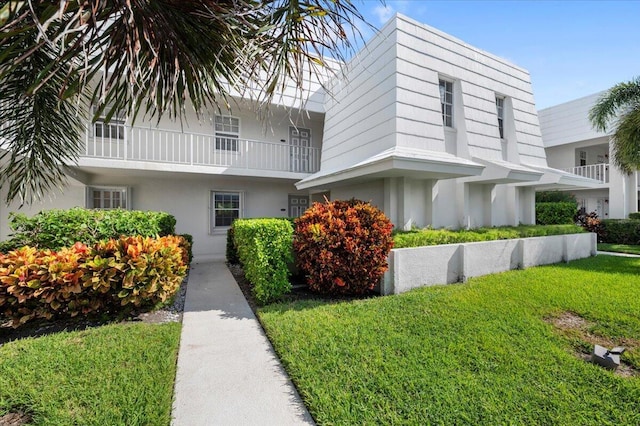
573 145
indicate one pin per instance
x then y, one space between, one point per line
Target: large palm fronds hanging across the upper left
150 57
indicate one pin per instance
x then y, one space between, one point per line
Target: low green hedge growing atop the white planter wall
431 237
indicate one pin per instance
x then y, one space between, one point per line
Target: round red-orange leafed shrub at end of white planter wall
342 246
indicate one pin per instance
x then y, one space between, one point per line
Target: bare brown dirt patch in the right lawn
578 331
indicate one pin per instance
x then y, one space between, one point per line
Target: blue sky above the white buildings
571 48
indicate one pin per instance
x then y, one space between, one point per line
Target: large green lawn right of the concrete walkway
484 352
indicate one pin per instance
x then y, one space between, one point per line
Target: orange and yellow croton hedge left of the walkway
103 278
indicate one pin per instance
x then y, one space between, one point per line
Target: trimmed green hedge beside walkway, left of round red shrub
264 247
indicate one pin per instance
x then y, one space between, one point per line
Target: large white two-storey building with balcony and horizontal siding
431 130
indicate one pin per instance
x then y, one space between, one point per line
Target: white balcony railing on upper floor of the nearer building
117 141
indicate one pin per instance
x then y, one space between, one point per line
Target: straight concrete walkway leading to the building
228 373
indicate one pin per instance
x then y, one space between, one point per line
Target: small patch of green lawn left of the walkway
119 374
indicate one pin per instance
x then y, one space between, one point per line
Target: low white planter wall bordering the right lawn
444 264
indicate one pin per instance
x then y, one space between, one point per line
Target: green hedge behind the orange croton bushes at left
54 229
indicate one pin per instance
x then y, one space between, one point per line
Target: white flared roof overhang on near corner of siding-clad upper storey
395 162
